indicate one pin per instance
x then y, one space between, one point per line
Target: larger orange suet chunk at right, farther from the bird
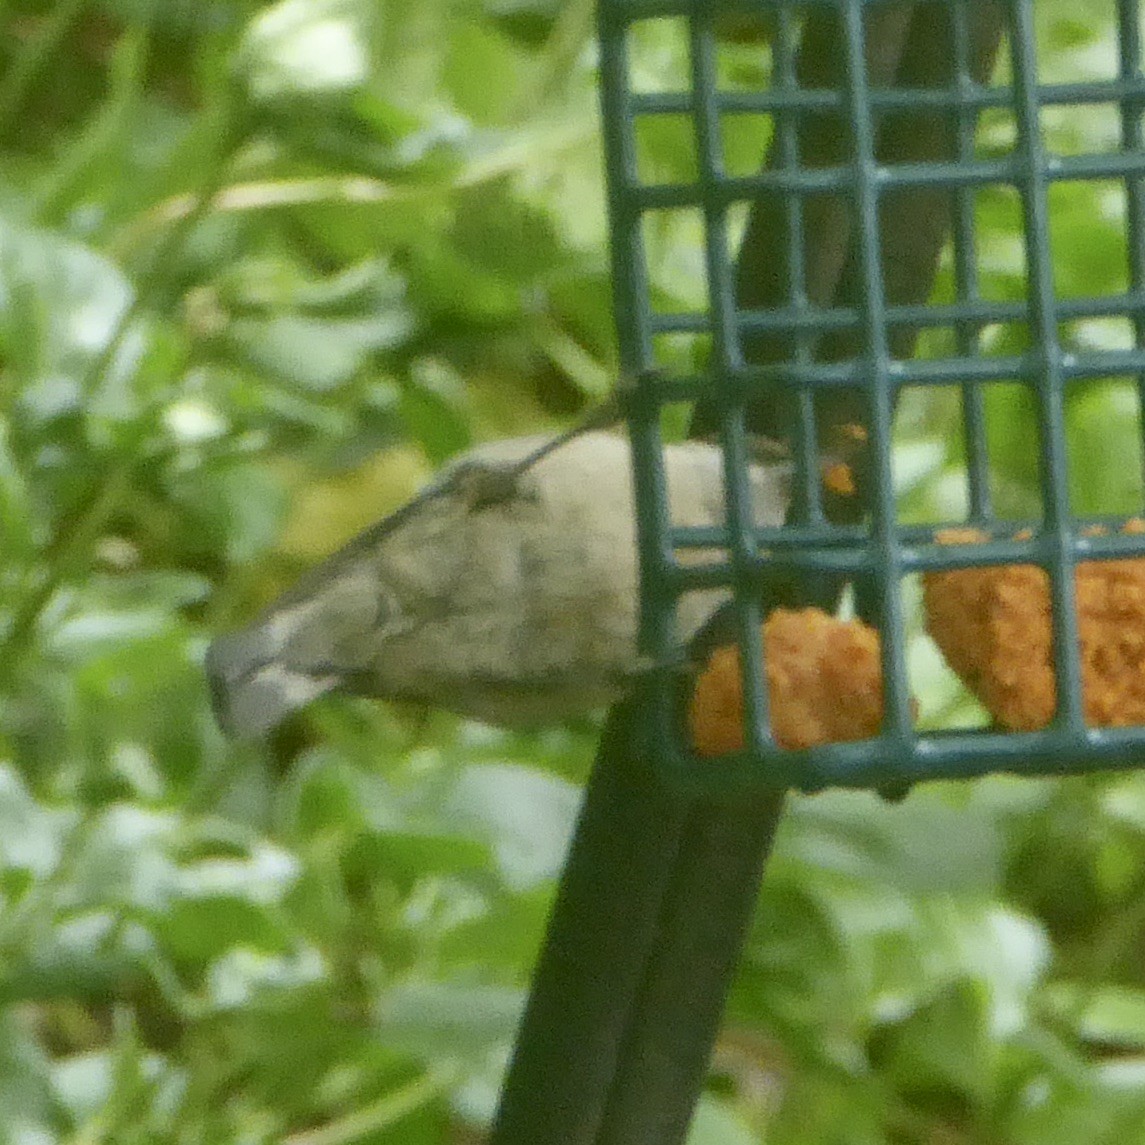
994 628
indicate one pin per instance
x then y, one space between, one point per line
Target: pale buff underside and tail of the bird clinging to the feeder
507 593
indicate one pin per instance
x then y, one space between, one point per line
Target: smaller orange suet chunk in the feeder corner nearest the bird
825 685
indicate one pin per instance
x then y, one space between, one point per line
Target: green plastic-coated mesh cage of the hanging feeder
822 307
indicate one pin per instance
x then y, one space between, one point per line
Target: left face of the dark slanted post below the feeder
602 928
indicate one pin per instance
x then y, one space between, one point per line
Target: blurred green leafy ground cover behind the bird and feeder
262 269
